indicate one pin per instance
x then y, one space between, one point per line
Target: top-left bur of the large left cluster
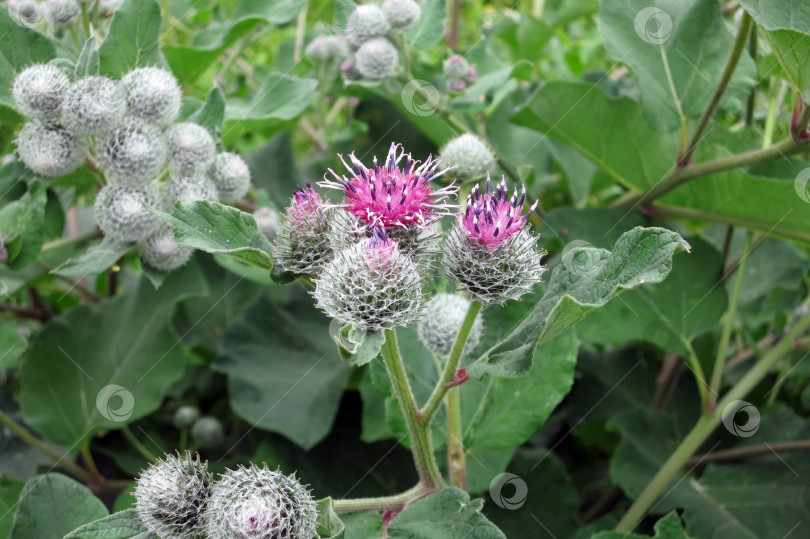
39 91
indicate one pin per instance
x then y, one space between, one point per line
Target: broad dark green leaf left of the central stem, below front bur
282 364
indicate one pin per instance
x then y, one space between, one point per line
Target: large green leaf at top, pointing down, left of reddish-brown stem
677 50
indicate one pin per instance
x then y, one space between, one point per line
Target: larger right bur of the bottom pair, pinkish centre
259 503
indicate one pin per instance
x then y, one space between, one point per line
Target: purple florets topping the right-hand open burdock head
490 218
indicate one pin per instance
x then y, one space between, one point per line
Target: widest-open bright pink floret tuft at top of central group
390 196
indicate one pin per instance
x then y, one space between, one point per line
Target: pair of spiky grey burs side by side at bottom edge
178 498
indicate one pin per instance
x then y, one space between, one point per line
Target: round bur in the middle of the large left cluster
133 153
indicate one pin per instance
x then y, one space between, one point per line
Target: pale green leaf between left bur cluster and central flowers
216 228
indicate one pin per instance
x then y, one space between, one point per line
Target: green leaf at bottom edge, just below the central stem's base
448 514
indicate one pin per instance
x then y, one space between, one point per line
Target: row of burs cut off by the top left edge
57 13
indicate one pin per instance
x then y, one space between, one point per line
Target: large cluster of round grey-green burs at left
128 127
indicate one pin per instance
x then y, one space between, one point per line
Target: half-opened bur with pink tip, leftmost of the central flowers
302 244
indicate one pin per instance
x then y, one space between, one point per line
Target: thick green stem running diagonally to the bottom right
705 426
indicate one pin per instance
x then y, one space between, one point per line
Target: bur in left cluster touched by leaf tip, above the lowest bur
122 217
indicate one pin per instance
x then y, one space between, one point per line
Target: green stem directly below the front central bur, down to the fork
421 443
